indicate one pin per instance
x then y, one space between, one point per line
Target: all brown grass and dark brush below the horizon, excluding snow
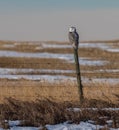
18 94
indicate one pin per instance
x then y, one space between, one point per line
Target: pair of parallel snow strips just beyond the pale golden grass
15 73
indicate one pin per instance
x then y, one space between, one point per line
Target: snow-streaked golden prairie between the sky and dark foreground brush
99 67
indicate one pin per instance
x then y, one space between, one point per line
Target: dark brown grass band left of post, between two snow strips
35 63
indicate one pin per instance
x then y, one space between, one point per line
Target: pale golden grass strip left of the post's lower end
32 90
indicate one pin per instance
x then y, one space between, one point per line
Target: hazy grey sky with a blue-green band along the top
44 20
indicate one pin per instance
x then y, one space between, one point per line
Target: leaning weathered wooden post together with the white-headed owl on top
74 40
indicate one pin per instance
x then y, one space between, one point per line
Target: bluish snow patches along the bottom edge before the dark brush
89 125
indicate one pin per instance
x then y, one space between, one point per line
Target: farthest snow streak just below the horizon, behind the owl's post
40 45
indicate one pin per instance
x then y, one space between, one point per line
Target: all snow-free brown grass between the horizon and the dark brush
32 90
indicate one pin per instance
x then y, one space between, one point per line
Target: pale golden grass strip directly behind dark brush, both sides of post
27 90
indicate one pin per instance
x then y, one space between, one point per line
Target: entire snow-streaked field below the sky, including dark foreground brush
37 73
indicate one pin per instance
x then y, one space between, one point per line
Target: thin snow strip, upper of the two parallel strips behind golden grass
6 71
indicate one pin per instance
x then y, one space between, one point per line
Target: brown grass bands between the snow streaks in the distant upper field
93 53
